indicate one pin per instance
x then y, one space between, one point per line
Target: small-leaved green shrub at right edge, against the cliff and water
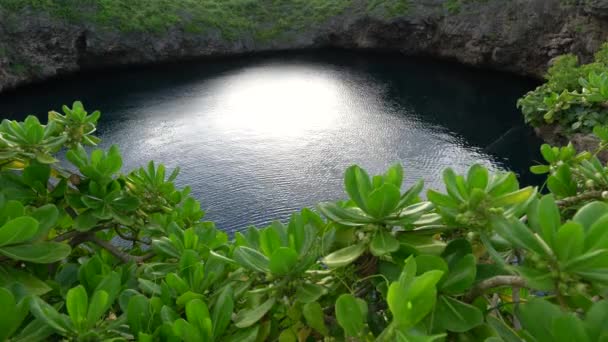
575 97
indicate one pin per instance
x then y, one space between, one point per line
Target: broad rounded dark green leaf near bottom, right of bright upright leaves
453 315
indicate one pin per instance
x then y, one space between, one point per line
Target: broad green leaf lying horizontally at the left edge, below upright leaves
40 252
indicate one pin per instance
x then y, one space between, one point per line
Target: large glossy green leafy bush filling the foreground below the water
95 254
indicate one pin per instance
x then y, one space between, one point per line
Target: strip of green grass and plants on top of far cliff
259 19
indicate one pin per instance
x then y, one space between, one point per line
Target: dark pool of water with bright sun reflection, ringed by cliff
259 137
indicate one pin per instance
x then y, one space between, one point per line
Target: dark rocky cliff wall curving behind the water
520 36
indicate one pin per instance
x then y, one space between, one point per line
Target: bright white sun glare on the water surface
255 102
